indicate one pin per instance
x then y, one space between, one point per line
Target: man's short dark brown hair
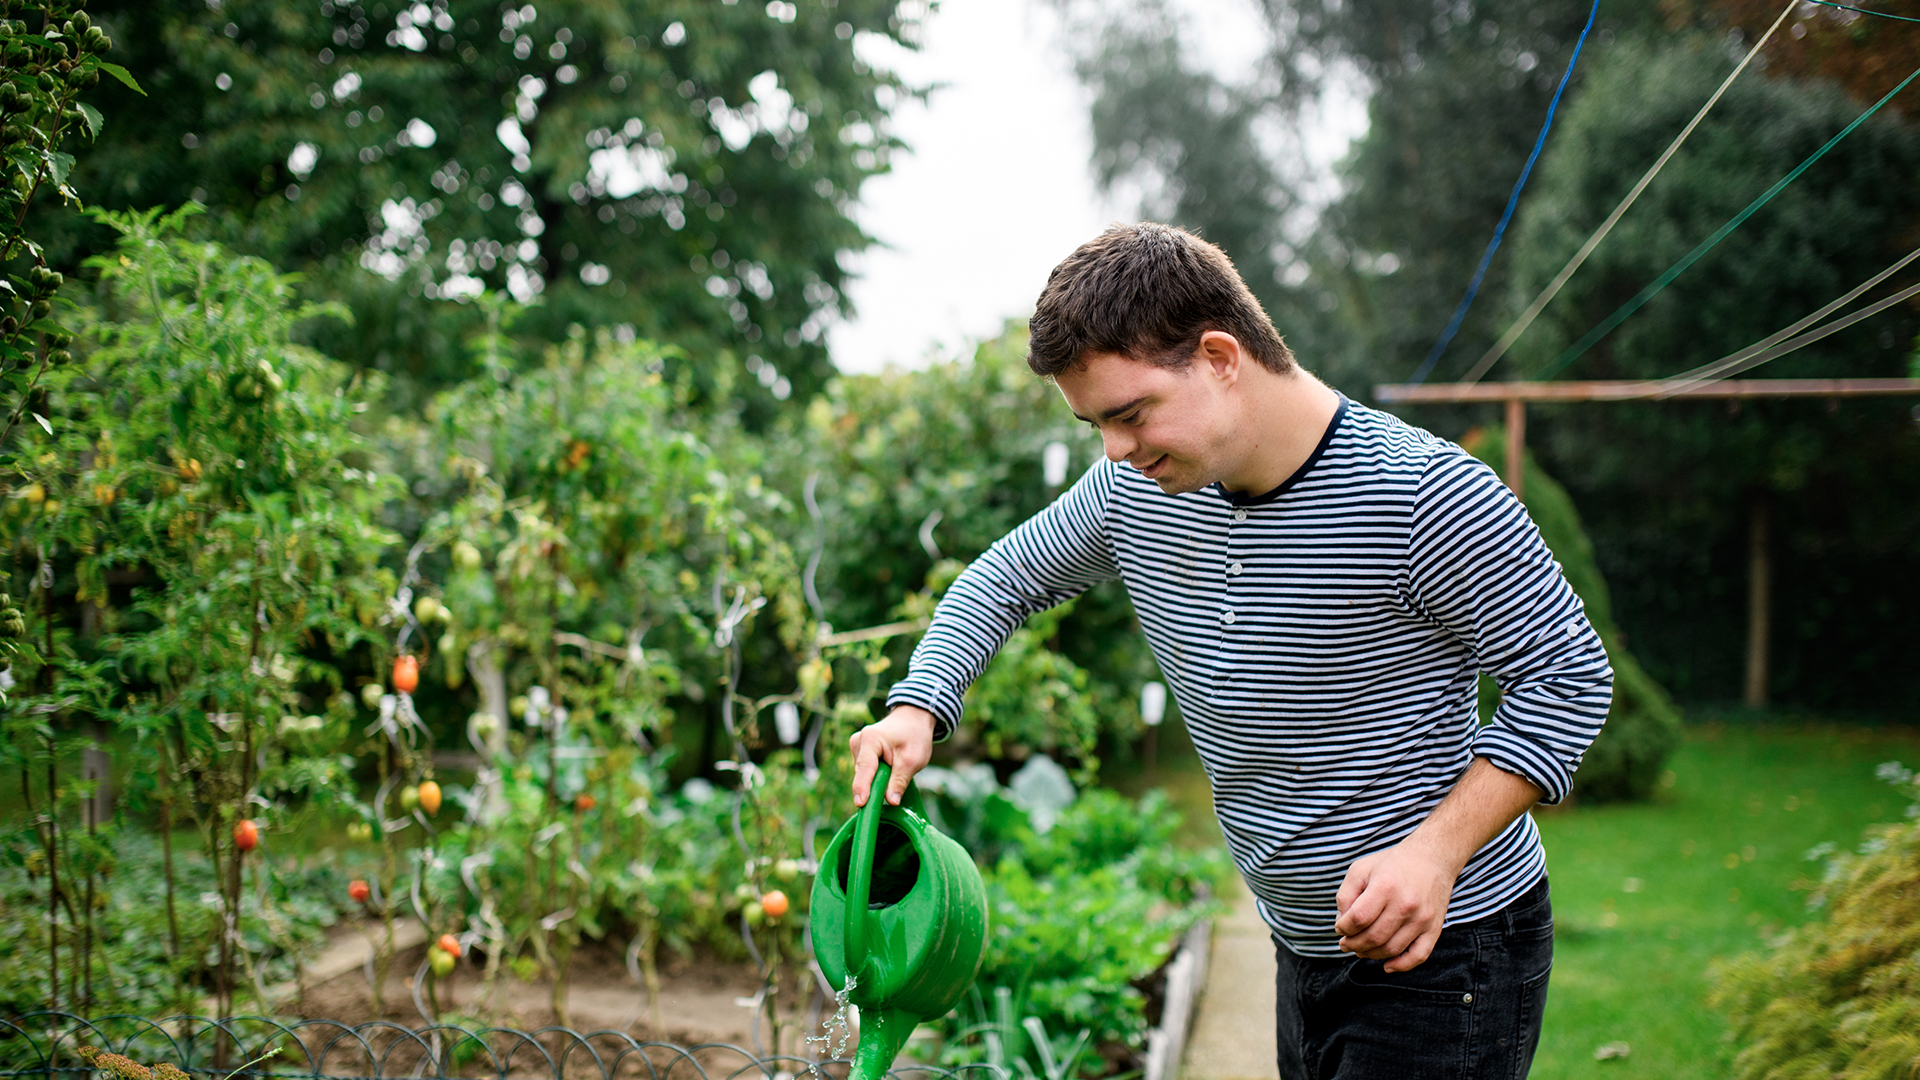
1147 293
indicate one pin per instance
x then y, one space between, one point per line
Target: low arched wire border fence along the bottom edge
47 1046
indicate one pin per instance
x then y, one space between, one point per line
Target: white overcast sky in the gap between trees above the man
997 185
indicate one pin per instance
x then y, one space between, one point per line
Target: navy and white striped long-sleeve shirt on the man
1324 643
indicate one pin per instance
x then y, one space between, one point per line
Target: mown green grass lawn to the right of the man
1646 896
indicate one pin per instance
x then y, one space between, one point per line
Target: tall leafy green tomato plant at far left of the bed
191 504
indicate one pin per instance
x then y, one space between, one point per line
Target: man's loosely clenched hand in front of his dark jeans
1393 906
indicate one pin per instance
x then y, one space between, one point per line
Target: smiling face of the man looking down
1172 426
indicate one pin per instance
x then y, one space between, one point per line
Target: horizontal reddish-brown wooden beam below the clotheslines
1641 391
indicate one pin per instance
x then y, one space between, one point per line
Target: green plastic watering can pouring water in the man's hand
901 910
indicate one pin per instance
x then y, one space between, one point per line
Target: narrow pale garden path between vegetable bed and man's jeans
1234 1023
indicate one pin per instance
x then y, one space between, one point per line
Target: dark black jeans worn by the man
1472 1012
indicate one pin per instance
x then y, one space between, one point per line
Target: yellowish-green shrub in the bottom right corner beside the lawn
1840 996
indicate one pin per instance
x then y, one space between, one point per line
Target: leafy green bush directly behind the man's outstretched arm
953 454
